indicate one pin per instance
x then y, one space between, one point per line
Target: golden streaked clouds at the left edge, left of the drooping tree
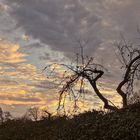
18 79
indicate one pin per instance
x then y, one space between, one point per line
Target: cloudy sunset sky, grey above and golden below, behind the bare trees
35 33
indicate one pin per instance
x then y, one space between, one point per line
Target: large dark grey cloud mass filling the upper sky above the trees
59 23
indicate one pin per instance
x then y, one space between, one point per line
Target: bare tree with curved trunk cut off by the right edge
129 56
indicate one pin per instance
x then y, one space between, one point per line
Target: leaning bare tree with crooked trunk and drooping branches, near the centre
83 70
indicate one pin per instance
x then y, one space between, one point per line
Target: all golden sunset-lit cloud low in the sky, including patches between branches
22 84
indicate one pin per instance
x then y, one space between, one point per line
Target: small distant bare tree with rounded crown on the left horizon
34 113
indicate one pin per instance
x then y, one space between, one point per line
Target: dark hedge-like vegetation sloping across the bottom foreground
123 124
